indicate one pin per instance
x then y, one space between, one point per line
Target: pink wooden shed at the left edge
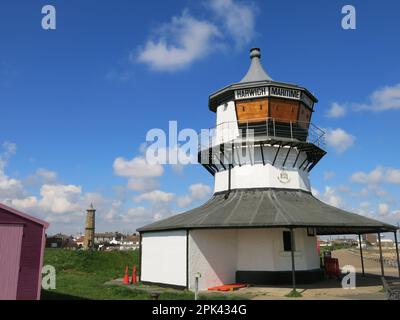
22 242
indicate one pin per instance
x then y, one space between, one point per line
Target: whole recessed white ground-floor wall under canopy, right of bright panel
218 254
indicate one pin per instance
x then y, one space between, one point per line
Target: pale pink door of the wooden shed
10 252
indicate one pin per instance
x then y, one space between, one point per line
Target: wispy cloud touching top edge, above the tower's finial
238 19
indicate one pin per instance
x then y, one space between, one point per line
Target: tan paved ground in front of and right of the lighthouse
367 288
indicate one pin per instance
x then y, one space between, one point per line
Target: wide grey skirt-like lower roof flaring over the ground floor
270 208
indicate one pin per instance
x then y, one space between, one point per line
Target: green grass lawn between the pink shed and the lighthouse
83 274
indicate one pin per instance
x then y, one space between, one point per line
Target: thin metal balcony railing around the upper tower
259 129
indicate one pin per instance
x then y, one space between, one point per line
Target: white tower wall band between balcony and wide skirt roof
256 175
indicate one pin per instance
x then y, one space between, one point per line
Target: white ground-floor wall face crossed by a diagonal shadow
213 253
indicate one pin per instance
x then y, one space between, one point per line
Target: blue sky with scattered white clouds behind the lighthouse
77 98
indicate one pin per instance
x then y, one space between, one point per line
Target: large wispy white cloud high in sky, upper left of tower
179 43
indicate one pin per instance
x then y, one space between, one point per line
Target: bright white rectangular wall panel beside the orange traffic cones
164 257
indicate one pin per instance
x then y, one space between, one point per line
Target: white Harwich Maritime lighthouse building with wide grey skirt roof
261 224
